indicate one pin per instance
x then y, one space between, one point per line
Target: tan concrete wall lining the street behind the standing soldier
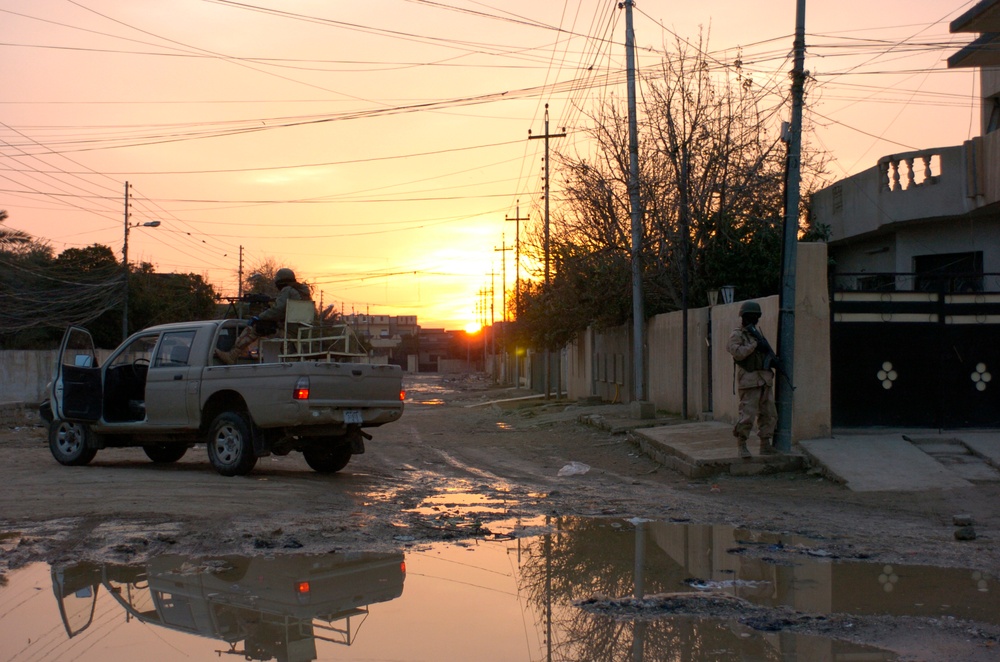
600 362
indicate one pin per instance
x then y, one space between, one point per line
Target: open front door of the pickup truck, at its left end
78 389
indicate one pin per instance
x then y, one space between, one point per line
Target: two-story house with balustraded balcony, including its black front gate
915 247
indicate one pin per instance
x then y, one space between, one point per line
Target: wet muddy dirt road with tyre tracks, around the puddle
123 508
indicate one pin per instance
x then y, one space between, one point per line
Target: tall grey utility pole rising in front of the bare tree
638 305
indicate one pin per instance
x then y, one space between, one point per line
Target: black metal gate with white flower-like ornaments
915 359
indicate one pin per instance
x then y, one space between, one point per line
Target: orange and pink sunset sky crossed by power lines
376 147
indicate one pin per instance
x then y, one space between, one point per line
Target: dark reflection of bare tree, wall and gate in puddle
587 558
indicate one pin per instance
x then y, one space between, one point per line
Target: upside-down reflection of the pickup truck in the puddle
277 606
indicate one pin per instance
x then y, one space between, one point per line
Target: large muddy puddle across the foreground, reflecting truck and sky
517 598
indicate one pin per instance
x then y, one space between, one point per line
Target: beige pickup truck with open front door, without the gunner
163 389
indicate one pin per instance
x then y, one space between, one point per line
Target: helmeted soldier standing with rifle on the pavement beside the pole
754 380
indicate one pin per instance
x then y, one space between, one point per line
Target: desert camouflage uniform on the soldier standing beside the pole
754 383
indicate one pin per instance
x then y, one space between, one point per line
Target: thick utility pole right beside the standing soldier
786 322
